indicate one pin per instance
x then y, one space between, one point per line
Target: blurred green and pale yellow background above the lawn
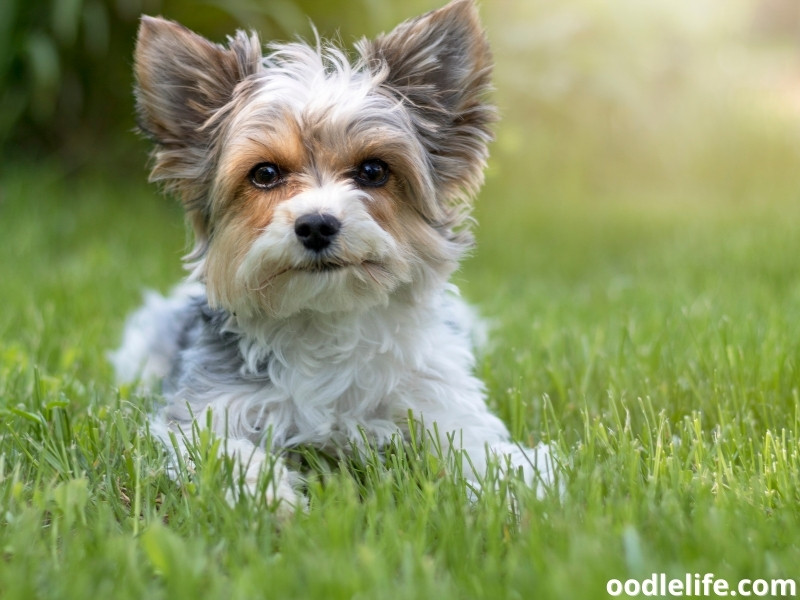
645 90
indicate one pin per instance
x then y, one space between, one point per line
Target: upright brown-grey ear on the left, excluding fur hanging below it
182 79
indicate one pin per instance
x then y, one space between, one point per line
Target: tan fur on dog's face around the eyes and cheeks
310 157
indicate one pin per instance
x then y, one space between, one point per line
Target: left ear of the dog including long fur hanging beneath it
182 81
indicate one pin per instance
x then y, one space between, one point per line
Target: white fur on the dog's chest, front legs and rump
334 376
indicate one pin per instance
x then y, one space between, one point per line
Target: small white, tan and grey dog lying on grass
329 202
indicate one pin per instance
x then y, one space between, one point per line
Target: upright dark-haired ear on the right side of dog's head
439 65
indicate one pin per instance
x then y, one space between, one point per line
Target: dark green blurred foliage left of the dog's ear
55 72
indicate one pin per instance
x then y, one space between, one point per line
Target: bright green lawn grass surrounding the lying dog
645 304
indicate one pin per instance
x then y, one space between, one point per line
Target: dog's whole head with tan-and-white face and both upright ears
311 183
